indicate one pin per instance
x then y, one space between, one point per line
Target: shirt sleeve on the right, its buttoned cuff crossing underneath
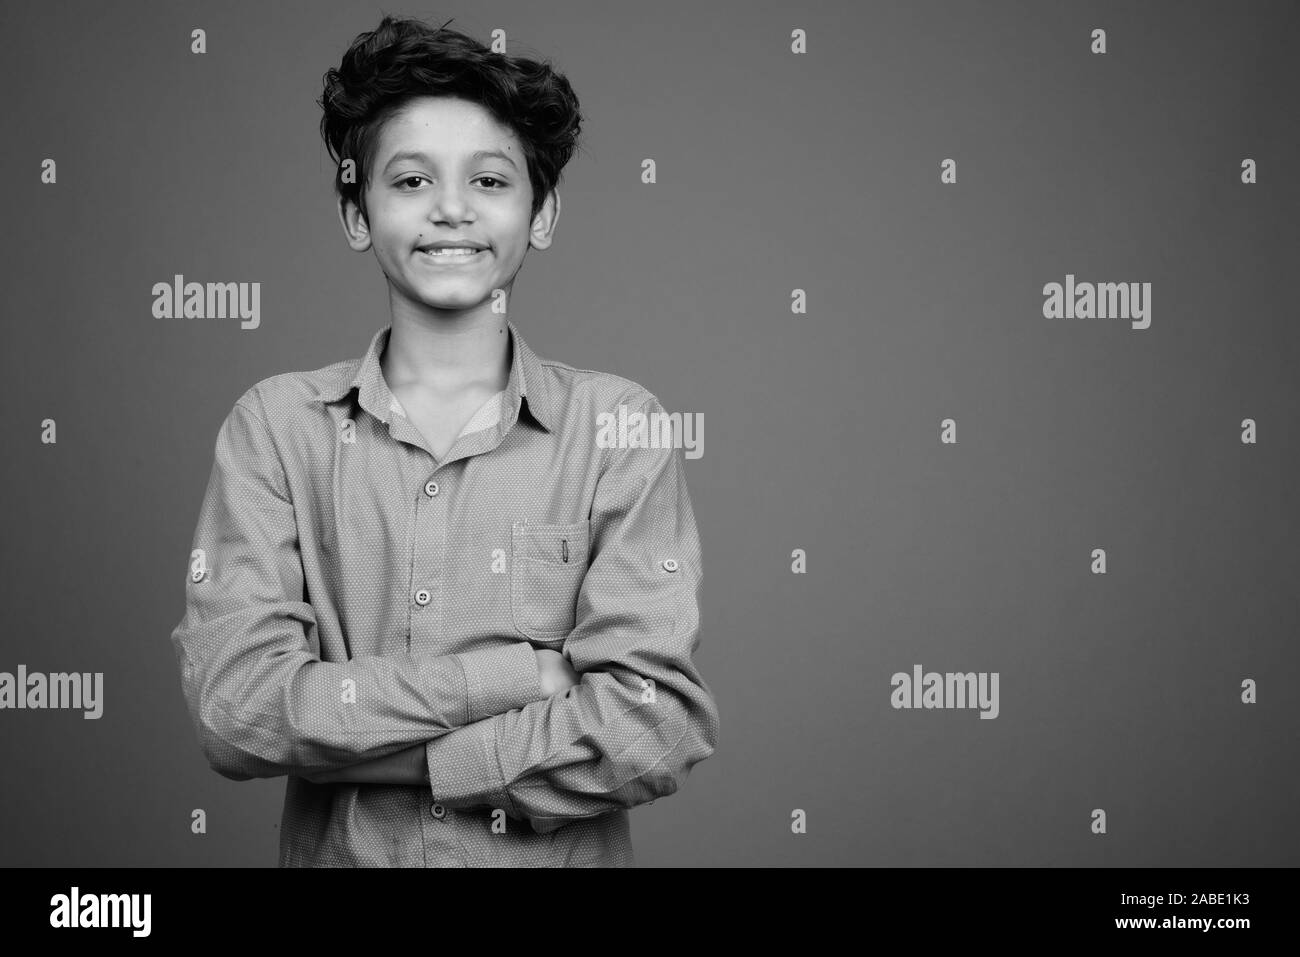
642 716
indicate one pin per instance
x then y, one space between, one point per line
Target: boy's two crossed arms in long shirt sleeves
478 729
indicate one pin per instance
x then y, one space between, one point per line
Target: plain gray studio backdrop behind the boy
775 172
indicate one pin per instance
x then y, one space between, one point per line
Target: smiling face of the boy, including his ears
427 187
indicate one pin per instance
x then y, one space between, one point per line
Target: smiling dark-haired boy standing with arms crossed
421 587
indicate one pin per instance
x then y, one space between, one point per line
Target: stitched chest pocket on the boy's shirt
547 569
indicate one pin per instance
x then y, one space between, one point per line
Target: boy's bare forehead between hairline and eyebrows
445 125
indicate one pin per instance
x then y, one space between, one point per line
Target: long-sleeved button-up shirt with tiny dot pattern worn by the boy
350 596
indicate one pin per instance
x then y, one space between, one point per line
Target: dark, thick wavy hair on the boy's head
404 59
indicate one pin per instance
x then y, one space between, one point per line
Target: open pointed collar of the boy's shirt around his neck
528 382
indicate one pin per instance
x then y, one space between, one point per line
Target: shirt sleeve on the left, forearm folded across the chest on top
262 700
